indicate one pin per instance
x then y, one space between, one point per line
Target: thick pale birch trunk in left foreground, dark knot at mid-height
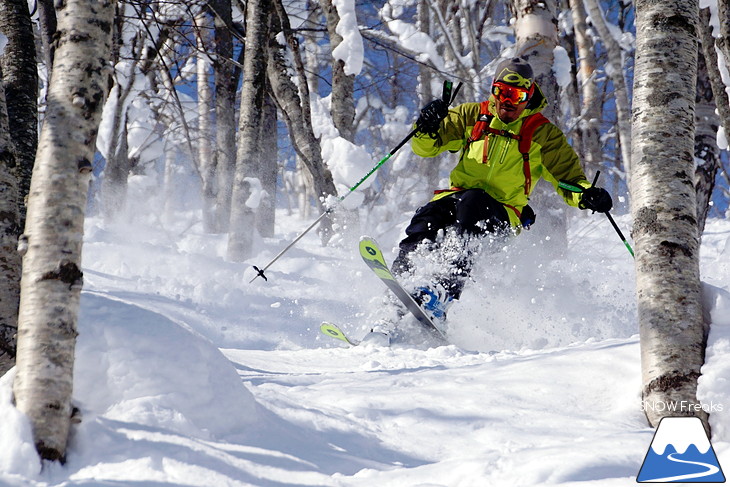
52 277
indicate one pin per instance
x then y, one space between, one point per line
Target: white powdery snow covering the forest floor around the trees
186 374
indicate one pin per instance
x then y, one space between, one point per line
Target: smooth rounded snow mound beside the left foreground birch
137 366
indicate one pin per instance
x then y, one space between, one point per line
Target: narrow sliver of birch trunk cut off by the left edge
9 231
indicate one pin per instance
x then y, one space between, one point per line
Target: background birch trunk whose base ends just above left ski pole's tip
243 216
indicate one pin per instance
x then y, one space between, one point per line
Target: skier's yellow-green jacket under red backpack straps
503 176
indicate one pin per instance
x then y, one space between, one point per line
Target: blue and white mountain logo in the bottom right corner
680 452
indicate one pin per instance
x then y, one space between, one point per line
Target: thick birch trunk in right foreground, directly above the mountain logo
664 206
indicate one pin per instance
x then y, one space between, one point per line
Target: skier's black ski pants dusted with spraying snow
471 212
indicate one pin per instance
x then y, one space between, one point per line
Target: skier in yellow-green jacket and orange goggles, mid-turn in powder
491 183
